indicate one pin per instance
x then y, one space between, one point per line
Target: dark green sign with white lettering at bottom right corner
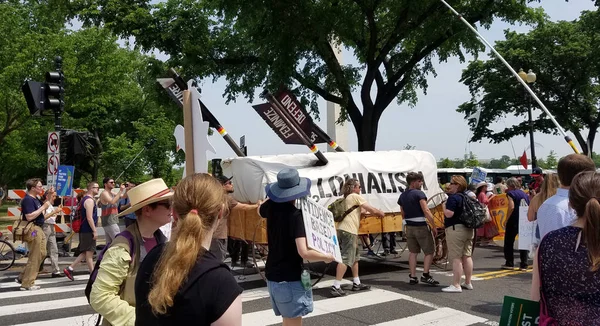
519 312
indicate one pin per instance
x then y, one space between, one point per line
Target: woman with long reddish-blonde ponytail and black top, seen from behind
182 282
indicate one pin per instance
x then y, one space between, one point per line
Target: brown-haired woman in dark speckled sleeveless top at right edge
566 276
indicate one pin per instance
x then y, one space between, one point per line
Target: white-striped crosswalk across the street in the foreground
65 301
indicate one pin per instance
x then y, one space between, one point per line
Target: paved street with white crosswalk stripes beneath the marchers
391 301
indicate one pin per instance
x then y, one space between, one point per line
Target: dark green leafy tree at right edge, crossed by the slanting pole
564 55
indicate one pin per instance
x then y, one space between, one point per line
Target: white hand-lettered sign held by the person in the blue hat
320 228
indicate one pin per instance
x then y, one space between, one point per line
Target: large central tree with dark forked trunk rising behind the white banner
257 44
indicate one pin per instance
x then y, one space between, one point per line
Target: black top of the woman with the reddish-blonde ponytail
202 299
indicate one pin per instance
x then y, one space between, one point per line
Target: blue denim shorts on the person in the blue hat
290 299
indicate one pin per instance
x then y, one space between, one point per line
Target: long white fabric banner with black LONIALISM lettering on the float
382 175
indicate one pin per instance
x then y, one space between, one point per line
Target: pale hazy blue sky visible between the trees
441 130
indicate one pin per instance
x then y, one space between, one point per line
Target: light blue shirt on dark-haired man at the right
555 213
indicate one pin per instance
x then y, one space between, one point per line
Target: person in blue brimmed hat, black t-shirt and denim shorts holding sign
287 247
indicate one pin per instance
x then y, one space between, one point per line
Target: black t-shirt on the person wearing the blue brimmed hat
284 225
